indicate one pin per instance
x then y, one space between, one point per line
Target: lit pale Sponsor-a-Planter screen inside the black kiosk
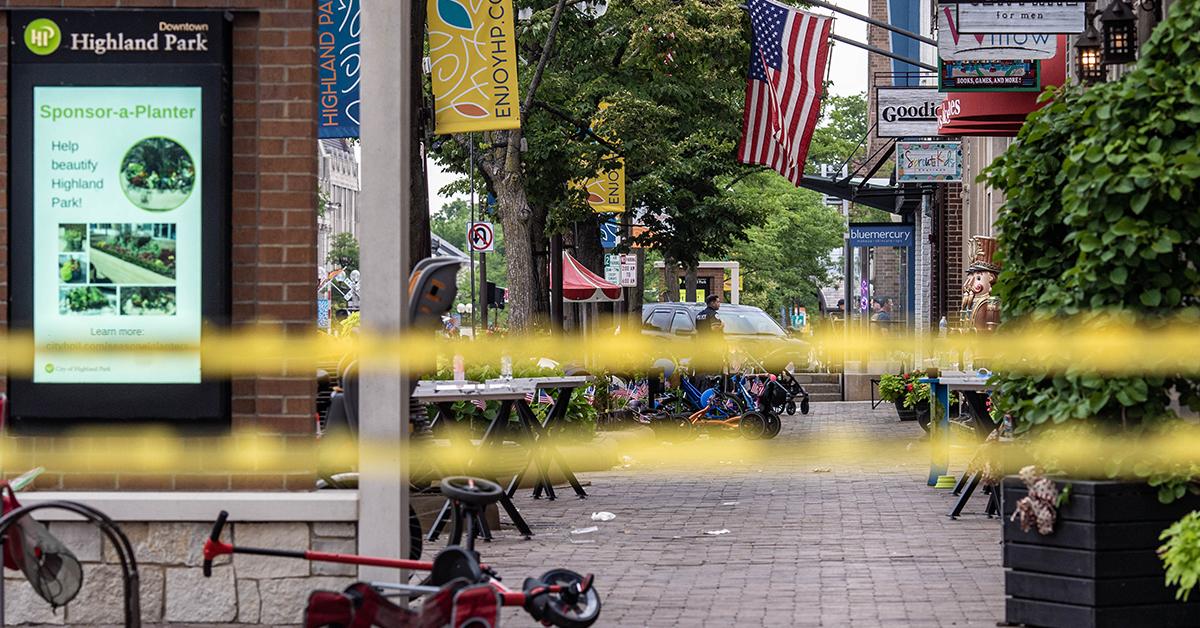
117 235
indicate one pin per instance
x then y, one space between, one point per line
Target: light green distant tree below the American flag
788 259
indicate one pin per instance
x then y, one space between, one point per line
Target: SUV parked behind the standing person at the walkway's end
747 328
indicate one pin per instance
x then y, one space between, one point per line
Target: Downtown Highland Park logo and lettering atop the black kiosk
43 38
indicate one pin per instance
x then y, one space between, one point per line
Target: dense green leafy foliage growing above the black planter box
1102 193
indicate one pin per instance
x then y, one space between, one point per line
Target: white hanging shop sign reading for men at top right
1021 17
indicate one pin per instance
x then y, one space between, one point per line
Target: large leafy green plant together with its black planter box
1095 189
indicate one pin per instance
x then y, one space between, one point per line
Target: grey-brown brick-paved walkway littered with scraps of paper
812 542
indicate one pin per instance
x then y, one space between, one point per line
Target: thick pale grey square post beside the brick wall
385 216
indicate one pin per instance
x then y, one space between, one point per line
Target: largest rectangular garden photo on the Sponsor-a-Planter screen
140 254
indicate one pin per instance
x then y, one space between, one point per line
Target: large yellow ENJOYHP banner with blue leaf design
475 68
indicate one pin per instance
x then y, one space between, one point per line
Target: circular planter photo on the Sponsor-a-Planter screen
158 175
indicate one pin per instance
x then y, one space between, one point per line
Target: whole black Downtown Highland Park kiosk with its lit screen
119 210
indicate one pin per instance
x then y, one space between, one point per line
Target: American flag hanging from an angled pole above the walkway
788 62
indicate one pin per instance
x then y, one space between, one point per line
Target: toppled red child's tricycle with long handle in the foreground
459 590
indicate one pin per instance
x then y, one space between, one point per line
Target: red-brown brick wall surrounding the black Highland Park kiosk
274 220
